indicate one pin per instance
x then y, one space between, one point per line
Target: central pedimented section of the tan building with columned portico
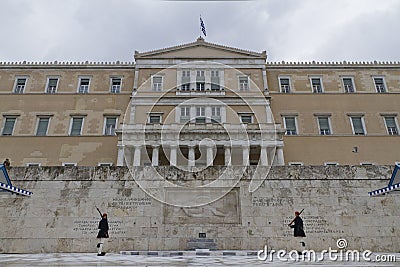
200 104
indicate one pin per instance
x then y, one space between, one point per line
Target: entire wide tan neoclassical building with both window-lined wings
196 105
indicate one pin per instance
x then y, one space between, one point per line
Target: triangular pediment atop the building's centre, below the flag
200 50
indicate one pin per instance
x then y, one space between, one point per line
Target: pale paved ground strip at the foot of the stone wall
85 259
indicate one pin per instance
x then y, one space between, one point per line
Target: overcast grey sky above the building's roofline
110 30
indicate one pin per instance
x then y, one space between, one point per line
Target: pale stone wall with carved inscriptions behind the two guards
61 215
